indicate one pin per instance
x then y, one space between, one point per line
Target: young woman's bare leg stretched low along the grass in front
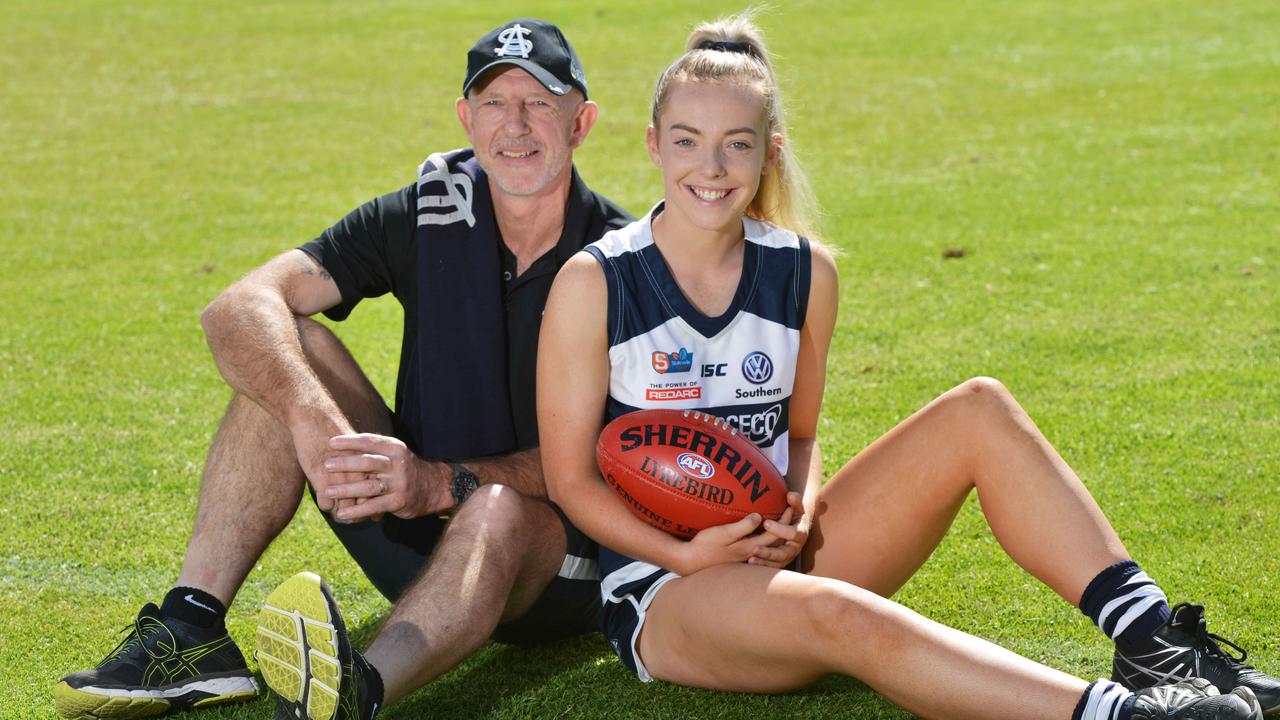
755 630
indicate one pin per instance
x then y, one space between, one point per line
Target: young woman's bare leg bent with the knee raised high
883 516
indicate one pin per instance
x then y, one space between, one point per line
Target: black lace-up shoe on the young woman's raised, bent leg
1185 649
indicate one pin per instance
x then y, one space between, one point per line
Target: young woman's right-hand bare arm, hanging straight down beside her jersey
804 467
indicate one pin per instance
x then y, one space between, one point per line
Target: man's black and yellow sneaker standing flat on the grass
163 664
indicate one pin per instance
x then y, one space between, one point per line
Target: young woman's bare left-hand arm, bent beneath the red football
573 388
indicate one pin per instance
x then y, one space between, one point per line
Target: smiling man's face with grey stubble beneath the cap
523 134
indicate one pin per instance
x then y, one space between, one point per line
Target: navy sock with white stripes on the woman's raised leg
1126 604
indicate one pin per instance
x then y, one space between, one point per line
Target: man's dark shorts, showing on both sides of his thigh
394 552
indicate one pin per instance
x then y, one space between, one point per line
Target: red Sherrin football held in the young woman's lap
684 471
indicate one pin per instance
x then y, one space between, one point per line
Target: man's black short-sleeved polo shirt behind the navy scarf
372 252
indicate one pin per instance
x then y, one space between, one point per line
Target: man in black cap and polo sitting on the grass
470 252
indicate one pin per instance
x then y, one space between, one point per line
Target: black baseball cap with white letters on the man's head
536 47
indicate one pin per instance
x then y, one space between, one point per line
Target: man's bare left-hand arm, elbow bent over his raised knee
253 331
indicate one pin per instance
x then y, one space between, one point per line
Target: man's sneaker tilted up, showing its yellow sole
307 658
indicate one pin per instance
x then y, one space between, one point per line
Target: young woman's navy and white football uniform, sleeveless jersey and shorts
664 353
